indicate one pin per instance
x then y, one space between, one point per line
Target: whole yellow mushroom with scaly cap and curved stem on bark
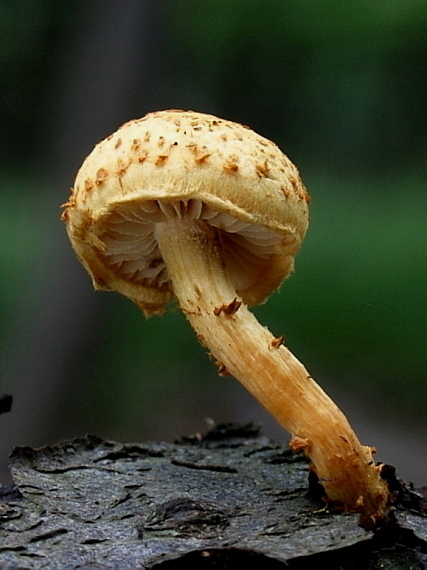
184 206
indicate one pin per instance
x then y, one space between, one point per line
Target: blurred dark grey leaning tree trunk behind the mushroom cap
116 45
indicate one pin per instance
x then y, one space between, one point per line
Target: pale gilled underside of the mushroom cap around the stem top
132 253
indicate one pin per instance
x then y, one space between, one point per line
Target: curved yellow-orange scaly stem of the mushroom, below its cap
268 370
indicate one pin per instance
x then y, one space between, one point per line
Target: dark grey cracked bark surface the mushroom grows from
217 501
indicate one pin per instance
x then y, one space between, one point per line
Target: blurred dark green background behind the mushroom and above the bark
341 87
